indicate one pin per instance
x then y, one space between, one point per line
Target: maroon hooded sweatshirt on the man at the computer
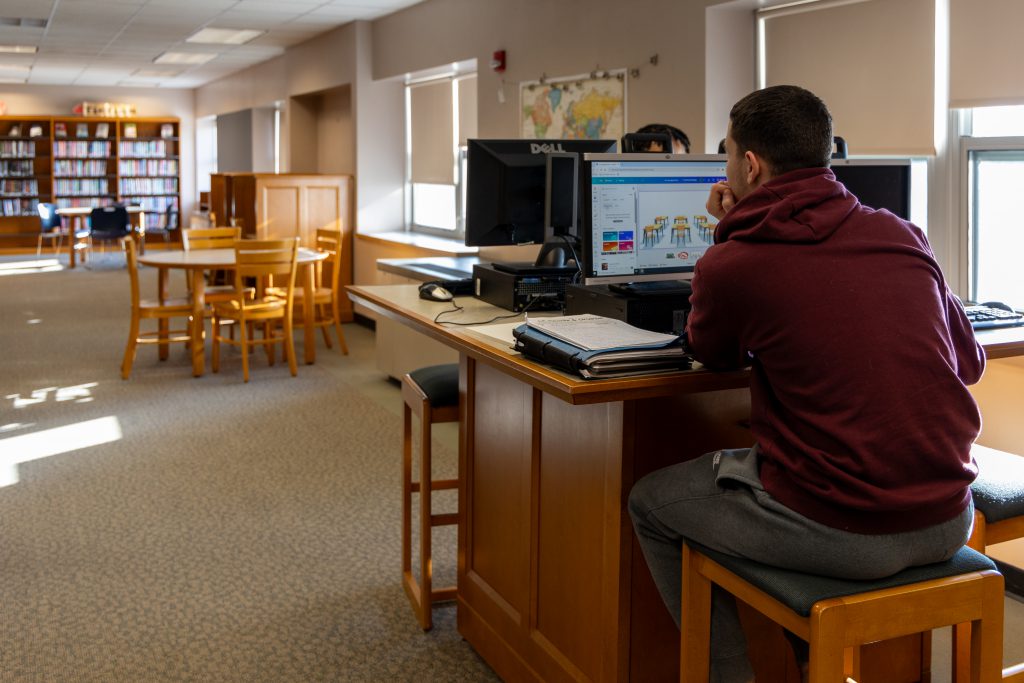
861 356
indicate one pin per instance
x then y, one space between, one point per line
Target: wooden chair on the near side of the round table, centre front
264 261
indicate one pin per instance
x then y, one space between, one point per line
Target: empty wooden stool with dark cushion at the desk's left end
433 395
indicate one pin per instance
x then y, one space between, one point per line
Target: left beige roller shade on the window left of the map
433 121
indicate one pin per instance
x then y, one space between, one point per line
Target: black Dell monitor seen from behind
505 188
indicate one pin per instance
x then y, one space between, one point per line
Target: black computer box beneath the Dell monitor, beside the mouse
523 288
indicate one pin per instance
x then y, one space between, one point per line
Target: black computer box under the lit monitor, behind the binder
656 312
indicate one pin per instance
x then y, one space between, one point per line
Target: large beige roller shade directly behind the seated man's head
873 64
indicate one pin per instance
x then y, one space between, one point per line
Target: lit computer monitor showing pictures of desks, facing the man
646 216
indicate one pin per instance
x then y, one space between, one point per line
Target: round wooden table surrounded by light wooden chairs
201 261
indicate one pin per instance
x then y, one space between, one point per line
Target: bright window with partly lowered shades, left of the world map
441 116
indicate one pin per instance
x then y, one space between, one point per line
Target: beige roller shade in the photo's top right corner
985 53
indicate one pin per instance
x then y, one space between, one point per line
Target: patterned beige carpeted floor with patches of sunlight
173 529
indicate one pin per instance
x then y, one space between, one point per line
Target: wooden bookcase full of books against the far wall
81 161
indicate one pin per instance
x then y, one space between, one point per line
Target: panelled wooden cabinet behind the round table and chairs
274 206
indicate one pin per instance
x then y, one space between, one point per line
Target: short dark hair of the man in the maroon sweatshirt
787 125
